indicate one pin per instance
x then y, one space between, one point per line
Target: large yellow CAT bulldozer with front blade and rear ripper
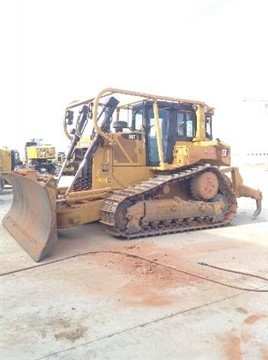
152 168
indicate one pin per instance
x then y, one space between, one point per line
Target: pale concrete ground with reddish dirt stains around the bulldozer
168 297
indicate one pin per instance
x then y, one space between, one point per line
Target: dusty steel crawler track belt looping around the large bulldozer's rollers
115 206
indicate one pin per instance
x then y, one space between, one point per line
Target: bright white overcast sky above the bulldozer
54 52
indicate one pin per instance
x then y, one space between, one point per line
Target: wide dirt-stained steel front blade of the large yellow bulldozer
31 219
